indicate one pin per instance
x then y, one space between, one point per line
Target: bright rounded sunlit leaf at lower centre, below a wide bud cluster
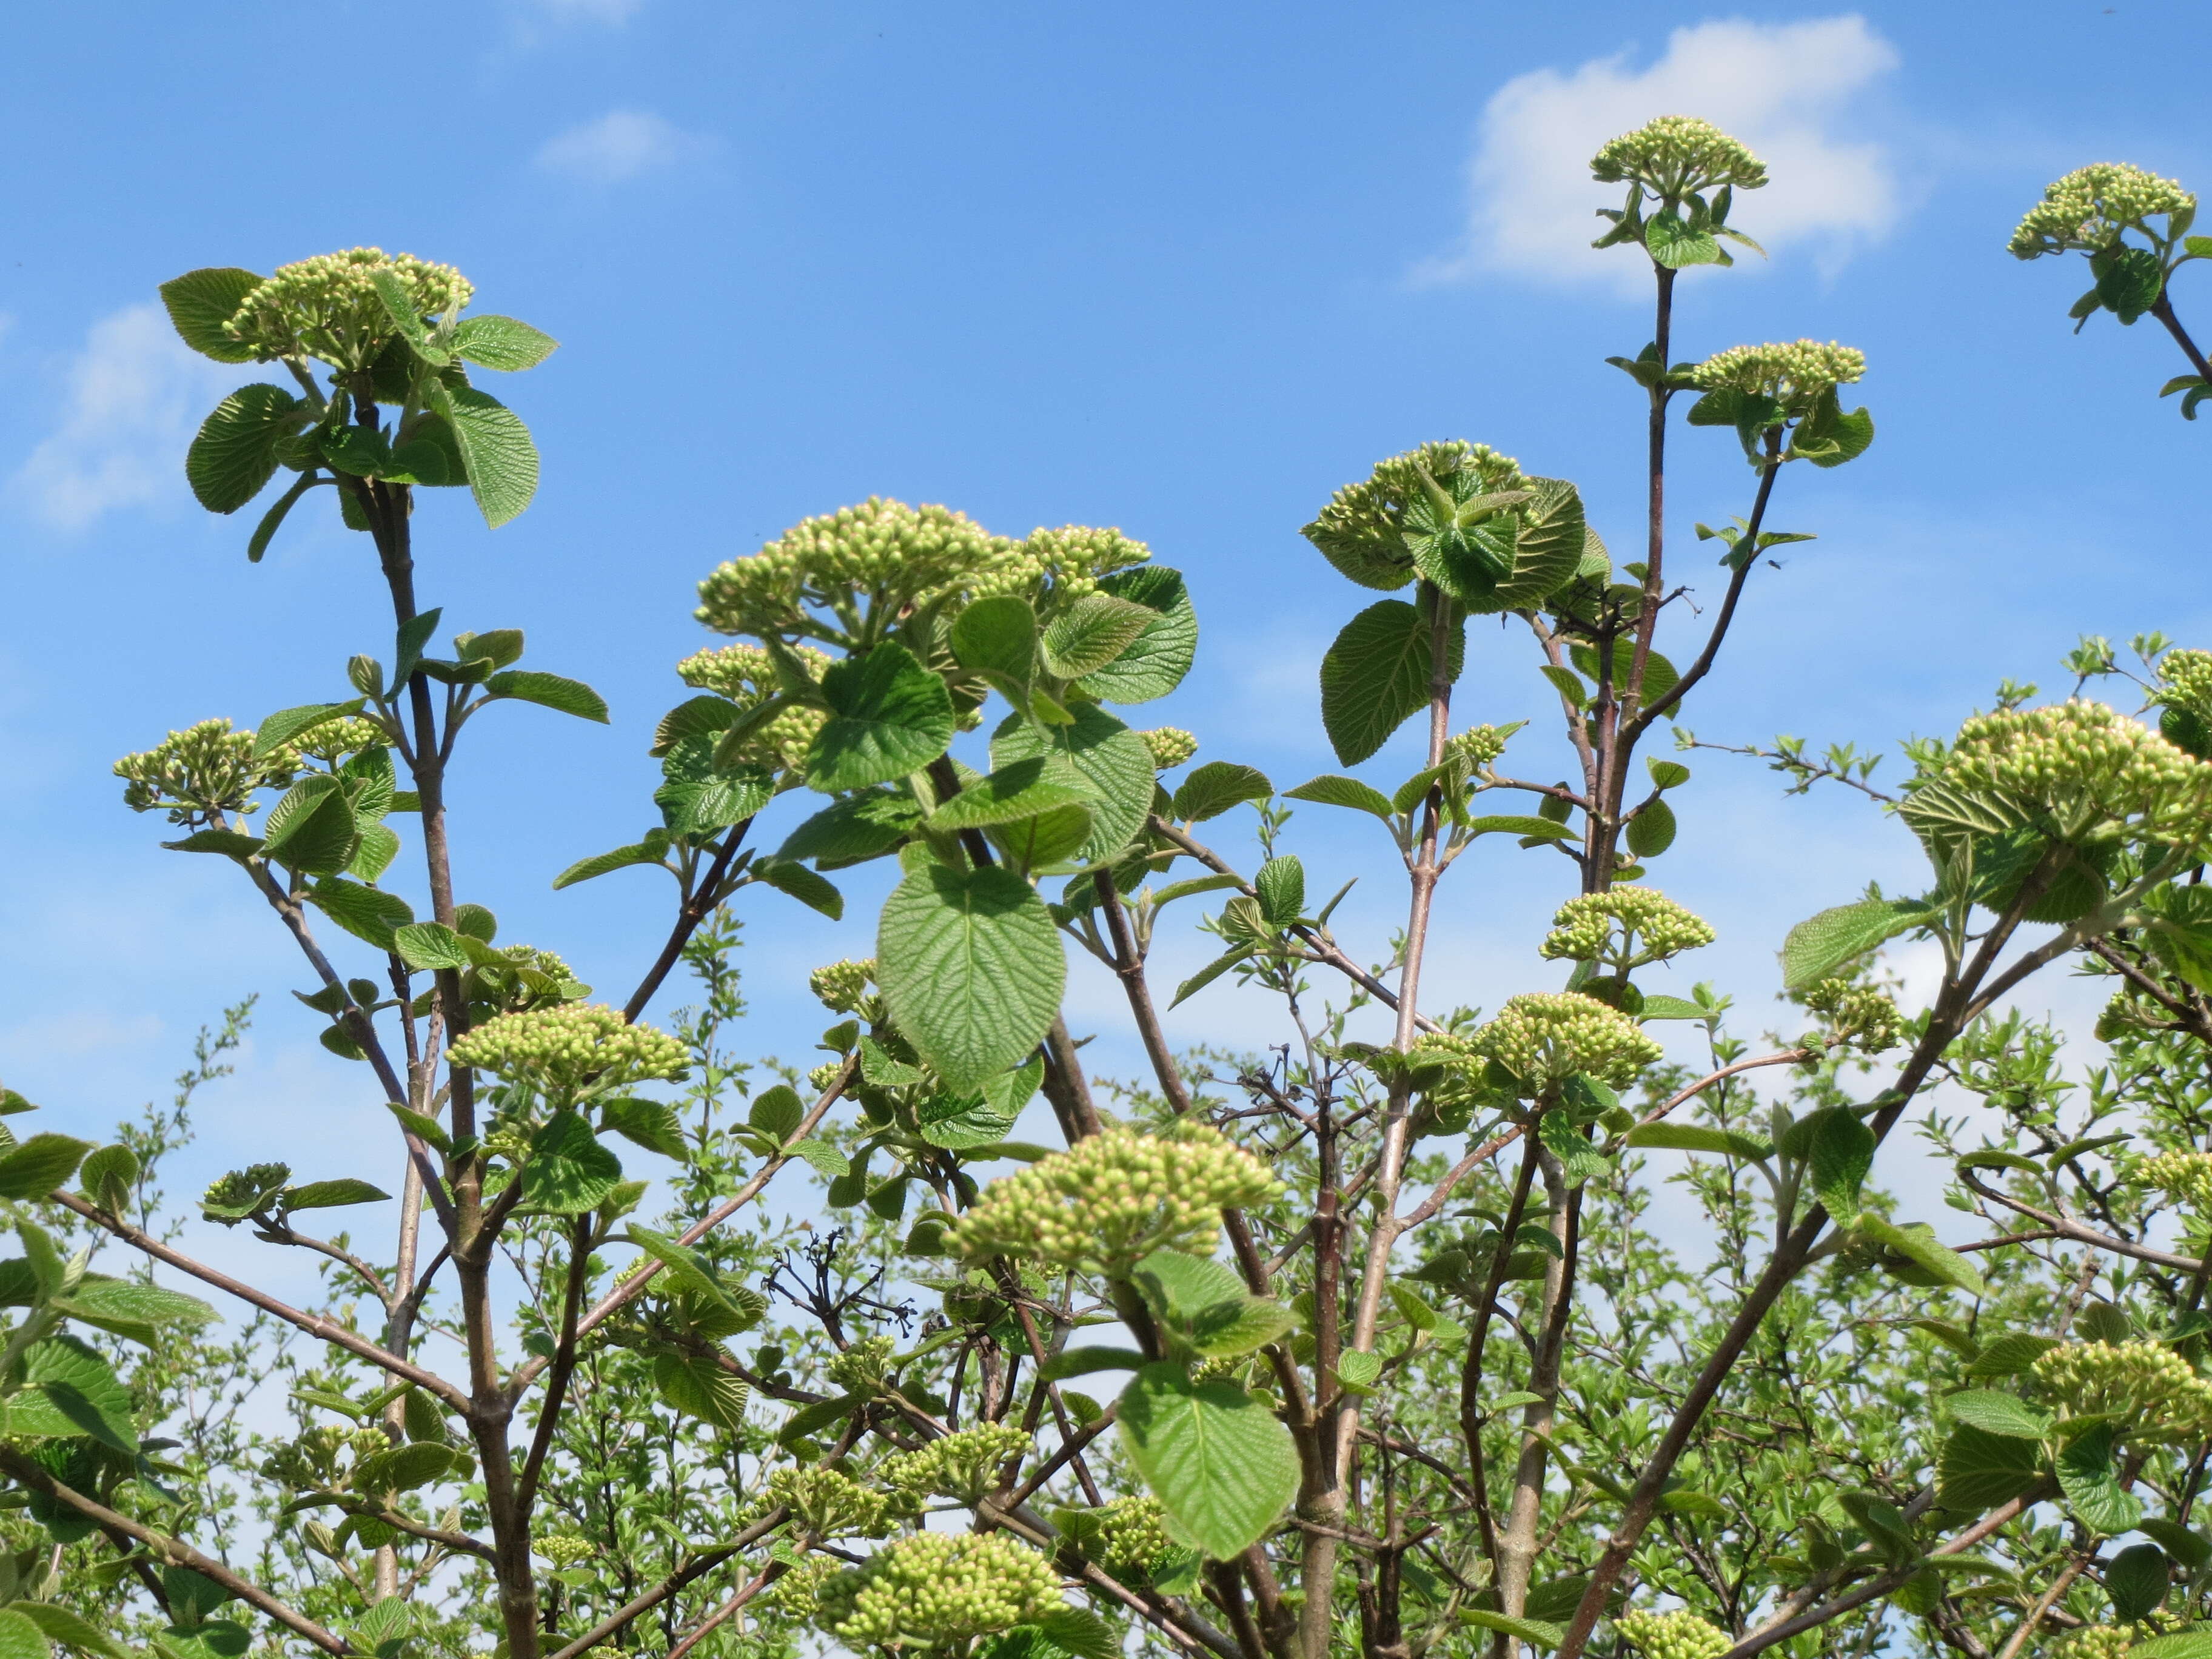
1218 1459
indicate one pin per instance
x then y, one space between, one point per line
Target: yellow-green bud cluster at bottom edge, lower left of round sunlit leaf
937 1589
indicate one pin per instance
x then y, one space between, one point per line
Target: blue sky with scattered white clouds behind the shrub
1173 269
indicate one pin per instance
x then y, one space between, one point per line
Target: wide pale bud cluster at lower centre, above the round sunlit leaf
1116 1198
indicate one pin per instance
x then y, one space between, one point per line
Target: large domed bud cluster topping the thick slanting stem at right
2085 764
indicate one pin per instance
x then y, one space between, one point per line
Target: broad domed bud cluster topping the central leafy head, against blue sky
895 554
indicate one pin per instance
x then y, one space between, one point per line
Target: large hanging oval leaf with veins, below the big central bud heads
970 968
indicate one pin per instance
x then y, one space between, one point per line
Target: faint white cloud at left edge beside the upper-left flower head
136 397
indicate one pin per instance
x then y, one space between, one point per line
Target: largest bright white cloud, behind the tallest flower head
1784 90
